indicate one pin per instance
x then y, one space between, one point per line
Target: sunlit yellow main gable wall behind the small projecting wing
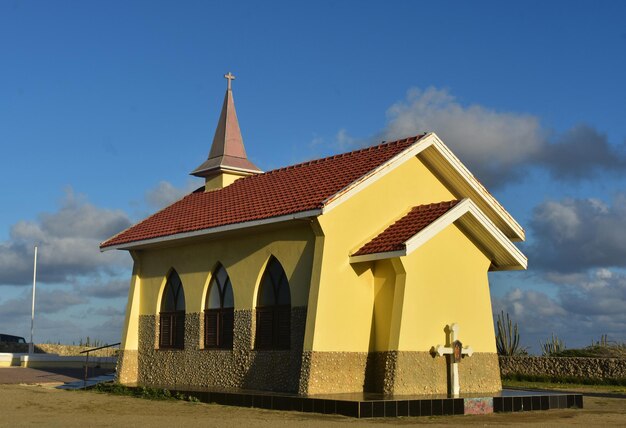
344 306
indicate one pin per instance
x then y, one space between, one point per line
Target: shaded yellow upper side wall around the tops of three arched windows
244 256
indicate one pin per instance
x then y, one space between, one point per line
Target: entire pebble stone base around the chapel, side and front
294 370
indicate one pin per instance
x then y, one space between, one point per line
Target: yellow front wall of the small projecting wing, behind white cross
446 283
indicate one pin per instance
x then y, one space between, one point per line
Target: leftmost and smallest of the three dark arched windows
172 326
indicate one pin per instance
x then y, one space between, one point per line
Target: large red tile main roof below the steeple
284 191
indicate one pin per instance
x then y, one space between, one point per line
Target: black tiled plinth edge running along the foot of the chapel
370 406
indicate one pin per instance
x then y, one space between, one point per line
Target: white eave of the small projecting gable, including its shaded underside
468 216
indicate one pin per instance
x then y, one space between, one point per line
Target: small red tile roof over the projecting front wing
395 236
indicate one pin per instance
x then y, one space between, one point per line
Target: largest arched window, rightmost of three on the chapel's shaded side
273 312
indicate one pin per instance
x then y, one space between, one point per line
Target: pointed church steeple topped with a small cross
227 159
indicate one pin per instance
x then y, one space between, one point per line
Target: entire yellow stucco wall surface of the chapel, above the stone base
397 304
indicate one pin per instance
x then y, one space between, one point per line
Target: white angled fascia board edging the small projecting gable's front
467 207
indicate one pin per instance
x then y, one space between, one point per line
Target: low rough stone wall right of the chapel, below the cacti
592 368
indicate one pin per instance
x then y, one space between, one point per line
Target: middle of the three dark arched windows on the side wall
219 312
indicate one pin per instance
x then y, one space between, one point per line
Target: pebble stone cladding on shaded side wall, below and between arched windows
241 367
